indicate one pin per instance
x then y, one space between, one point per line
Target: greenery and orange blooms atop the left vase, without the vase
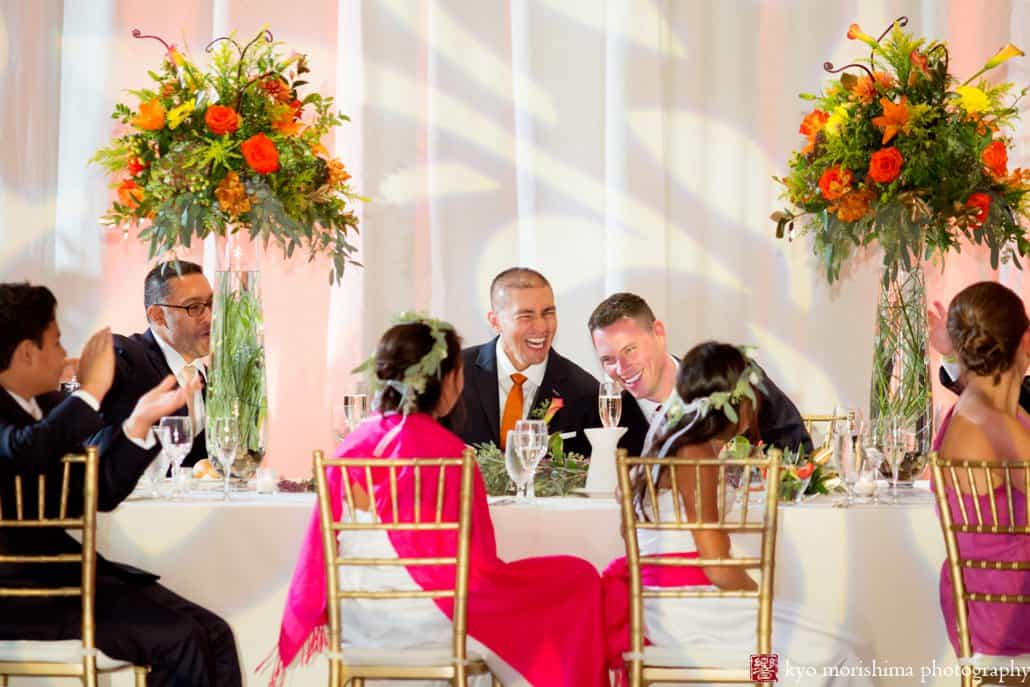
168 177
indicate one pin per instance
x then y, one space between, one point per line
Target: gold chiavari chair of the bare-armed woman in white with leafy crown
663 665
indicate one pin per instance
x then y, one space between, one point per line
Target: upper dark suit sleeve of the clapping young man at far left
36 449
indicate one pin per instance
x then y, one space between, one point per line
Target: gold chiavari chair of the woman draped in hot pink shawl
355 666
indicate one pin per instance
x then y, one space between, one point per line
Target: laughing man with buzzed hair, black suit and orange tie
519 372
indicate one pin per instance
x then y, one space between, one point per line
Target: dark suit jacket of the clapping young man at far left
30 449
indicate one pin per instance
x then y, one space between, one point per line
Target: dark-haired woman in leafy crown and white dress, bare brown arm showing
714 403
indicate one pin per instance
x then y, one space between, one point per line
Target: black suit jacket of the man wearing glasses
140 366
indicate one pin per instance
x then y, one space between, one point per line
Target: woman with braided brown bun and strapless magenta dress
988 327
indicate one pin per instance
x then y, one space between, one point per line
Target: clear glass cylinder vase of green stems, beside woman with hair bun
901 400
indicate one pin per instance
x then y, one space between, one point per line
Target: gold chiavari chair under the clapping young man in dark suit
73 659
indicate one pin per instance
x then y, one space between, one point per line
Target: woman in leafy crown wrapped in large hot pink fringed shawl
536 622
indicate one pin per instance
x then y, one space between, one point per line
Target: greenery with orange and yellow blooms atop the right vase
942 139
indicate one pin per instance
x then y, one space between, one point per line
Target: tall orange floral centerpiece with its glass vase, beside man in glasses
233 151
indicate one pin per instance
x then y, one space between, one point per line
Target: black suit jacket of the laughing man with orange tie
476 419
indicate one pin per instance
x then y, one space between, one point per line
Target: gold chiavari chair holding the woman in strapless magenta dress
979 479
